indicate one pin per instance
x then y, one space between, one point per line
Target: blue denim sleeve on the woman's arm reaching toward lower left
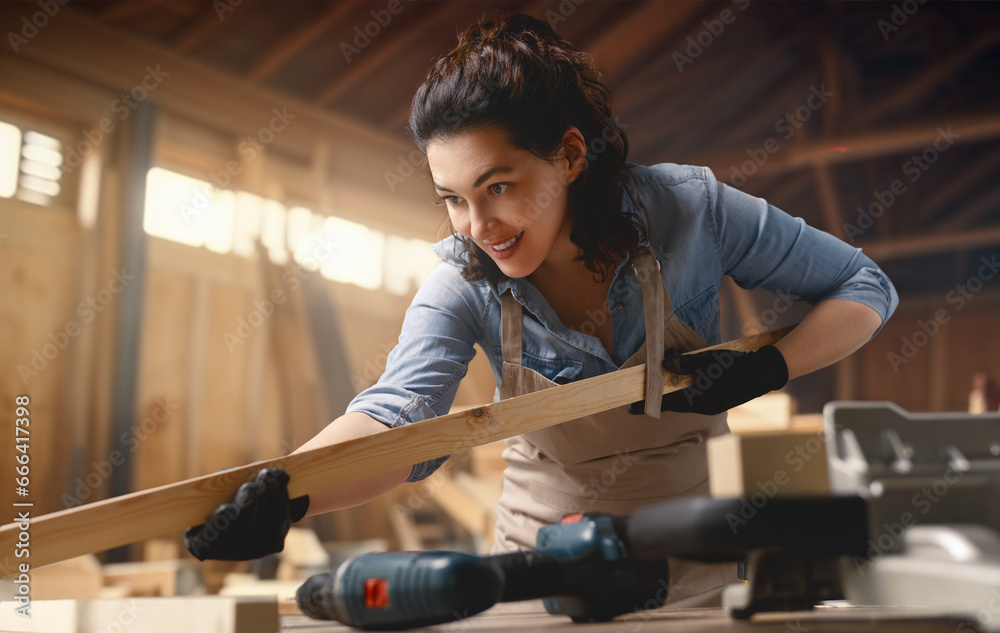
422 374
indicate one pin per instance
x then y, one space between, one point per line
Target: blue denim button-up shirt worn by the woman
700 230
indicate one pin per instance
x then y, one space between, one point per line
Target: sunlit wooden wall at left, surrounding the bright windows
201 405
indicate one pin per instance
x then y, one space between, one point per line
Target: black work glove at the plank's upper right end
723 379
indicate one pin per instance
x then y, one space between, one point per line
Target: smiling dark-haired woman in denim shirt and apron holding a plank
568 262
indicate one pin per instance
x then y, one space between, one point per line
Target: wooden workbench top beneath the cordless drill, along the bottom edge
530 616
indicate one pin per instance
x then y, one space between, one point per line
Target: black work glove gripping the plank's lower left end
253 524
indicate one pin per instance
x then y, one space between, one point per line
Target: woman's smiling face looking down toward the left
507 200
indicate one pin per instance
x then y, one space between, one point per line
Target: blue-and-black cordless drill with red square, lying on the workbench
582 567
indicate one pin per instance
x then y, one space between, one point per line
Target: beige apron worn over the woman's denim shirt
611 462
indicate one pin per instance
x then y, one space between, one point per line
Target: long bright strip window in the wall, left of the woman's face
194 212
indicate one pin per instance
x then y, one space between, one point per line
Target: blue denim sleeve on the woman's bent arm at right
762 246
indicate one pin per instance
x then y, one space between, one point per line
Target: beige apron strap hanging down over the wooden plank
656 303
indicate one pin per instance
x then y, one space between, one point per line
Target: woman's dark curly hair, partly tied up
514 72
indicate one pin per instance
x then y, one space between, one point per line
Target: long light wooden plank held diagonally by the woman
168 509
